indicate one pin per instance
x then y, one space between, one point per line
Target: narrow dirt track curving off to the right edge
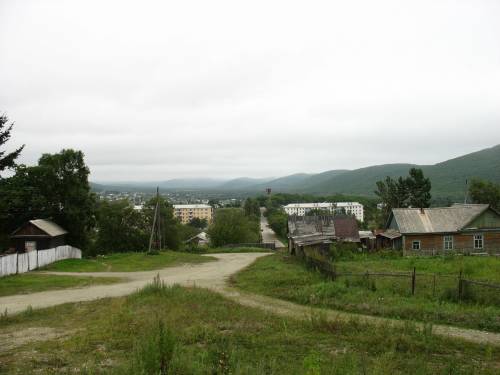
285 308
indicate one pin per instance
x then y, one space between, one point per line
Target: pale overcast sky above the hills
159 90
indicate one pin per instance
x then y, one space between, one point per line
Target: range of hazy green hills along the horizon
448 178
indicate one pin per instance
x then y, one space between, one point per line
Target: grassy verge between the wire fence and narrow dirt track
287 278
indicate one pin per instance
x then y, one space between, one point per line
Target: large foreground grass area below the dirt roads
178 330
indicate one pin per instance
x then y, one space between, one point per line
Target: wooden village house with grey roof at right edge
464 228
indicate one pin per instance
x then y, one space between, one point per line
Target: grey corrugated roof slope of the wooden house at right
436 219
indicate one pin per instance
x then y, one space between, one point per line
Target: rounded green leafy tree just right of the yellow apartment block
232 226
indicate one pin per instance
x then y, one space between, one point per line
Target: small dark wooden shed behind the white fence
38 234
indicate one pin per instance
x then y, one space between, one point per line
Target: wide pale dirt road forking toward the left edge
210 275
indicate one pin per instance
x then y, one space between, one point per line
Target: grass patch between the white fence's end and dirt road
127 262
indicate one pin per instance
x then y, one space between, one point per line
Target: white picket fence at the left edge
21 263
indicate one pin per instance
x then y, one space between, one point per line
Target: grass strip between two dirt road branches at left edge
35 282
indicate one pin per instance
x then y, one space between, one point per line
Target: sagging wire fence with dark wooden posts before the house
450 287
